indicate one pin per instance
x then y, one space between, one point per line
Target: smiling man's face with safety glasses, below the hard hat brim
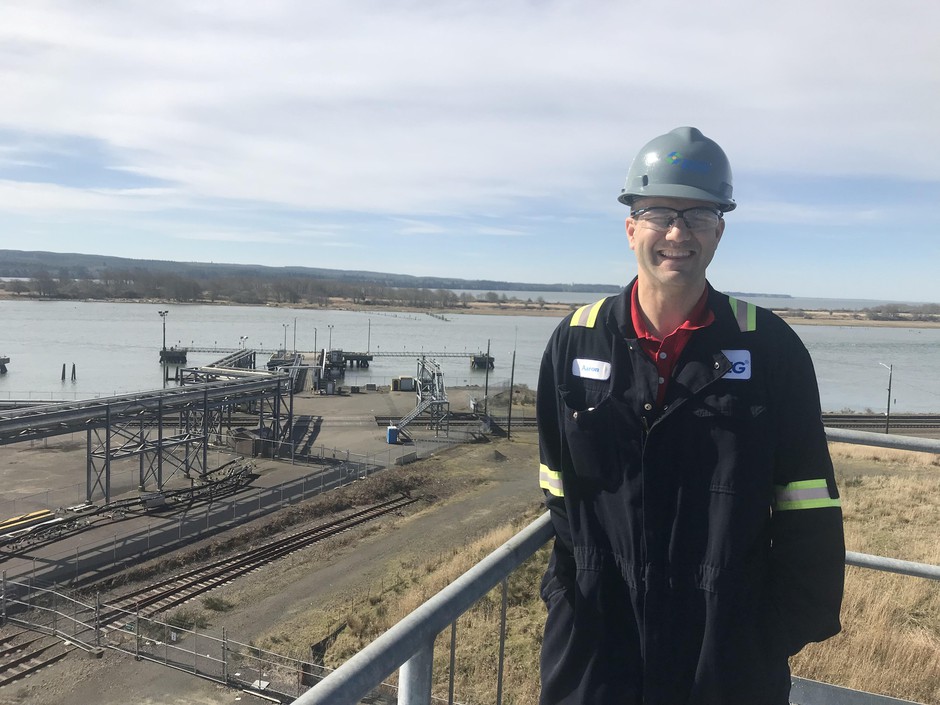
675 257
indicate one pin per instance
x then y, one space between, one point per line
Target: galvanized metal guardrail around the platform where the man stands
409 644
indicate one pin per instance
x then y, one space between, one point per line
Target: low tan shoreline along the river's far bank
809 317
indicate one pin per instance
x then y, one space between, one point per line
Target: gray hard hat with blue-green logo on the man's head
683 163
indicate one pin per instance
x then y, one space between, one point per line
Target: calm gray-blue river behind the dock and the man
115 348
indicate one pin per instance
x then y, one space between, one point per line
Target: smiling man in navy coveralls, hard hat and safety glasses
683 458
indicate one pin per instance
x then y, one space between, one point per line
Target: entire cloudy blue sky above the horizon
473 138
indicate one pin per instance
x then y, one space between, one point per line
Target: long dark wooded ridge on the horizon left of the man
18 263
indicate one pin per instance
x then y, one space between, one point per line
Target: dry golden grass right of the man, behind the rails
890 643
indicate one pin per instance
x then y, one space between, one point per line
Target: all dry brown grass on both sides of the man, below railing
890 642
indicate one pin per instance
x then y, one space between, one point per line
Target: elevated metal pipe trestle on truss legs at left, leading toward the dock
169 431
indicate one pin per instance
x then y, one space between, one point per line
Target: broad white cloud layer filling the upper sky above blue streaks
419 108
